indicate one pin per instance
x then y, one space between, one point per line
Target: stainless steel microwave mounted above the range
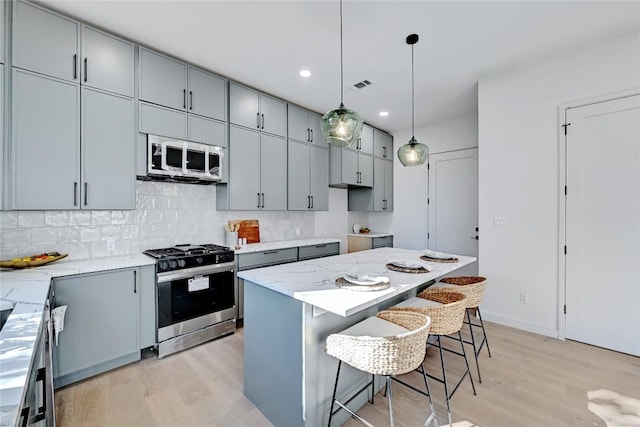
183 160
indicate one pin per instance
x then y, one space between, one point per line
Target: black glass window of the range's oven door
176 303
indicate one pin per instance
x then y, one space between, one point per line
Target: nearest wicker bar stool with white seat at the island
388 344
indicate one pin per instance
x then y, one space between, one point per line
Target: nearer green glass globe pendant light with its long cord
342 126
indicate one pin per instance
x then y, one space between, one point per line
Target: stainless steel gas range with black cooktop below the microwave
195 295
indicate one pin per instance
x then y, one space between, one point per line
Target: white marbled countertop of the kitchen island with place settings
313 281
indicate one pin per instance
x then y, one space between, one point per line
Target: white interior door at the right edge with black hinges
603 224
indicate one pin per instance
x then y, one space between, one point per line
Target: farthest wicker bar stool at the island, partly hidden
473 288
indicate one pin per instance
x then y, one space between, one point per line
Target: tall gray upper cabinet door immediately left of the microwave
107 151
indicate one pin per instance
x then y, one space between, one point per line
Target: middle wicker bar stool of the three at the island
446 311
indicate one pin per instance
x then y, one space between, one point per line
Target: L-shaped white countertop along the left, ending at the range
27 291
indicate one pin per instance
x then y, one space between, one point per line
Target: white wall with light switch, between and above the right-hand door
518 174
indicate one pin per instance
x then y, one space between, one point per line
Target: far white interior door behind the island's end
453 204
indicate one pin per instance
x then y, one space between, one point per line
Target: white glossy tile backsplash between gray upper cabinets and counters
166 214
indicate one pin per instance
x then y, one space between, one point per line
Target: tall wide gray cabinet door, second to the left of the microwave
45 141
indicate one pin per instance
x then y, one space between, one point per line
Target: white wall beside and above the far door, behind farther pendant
408 222
